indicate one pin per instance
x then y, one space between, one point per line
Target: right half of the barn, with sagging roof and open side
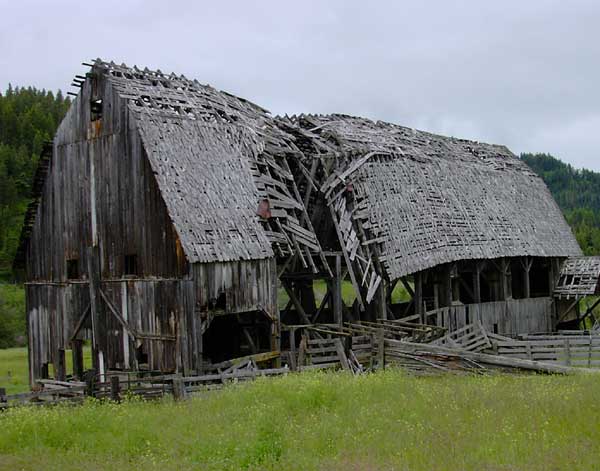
468 225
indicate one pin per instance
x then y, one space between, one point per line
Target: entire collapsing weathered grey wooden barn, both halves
167 216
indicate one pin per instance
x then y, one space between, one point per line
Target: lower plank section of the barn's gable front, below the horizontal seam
155 310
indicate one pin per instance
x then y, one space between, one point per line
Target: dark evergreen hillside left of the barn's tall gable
28 117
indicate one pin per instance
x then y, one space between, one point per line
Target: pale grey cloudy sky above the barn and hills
521 73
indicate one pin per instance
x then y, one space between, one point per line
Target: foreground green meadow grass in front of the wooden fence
325 422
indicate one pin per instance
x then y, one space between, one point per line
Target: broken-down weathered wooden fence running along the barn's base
356 348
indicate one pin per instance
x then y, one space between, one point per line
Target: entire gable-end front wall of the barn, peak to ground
99 168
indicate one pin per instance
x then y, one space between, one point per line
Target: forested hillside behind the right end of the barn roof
577 192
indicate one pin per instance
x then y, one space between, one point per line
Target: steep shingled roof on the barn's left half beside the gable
221 167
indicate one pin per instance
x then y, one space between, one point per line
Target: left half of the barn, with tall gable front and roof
160 212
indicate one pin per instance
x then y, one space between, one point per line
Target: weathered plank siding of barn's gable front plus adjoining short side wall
100 171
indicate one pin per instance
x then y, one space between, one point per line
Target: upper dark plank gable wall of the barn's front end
130 212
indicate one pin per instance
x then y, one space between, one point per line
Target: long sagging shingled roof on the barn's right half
410 200
